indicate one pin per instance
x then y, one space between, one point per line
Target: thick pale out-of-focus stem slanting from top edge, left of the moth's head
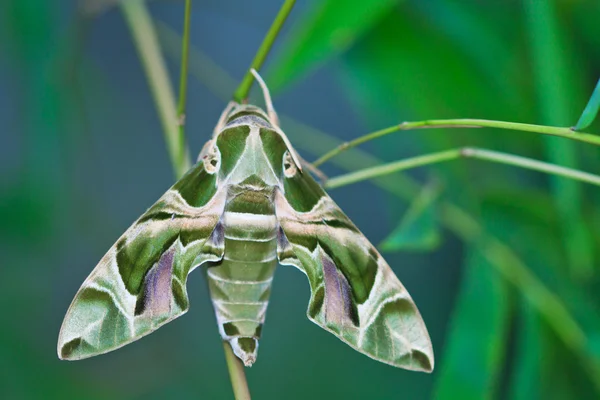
142 30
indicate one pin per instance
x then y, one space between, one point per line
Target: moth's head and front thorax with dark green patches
249 146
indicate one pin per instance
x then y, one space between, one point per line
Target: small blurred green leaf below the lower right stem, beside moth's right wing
419 228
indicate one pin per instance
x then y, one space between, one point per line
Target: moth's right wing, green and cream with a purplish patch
354 293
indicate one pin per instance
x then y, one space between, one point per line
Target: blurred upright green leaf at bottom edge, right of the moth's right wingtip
478 335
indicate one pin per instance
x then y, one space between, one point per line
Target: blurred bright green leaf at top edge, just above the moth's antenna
329 28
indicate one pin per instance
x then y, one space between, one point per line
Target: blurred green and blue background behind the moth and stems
510 294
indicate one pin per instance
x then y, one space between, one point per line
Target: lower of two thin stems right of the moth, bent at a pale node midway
467 152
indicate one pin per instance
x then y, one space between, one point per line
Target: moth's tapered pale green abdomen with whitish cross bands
241 283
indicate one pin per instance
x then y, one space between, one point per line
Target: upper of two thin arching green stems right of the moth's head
463 123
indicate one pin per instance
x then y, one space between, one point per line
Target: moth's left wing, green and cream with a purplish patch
139 285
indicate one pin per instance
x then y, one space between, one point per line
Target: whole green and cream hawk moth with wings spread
246 206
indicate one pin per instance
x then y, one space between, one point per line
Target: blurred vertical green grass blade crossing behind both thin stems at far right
554 84
